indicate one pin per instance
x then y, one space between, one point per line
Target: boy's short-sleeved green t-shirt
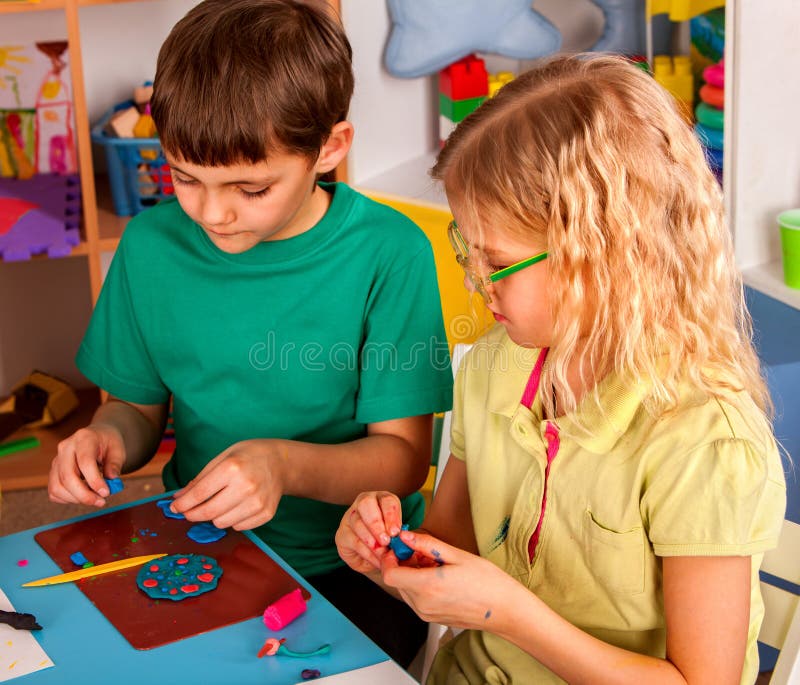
309 338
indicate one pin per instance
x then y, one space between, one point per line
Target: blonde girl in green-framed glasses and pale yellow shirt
615 480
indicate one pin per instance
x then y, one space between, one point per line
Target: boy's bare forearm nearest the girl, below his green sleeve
338 473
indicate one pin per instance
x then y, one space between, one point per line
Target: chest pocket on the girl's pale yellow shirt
615 558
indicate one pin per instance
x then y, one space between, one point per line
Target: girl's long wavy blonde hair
590 156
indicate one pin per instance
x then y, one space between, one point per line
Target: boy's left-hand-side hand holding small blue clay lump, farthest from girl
82 462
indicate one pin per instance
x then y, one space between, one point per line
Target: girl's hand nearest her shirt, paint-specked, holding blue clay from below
460 589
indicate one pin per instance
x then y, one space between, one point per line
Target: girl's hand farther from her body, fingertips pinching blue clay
366 529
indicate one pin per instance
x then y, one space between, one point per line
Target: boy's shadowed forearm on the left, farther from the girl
140 434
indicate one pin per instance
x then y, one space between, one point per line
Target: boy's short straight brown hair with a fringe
237 79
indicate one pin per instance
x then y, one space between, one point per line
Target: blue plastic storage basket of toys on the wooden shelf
137 170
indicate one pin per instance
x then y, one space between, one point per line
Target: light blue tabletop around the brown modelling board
87 649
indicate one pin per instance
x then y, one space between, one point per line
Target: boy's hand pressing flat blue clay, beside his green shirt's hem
240 488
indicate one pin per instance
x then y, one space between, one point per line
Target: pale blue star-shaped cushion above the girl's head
428 36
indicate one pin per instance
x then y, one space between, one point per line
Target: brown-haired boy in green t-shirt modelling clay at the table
295 325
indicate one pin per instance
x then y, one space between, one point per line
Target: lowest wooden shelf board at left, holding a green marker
29 468
